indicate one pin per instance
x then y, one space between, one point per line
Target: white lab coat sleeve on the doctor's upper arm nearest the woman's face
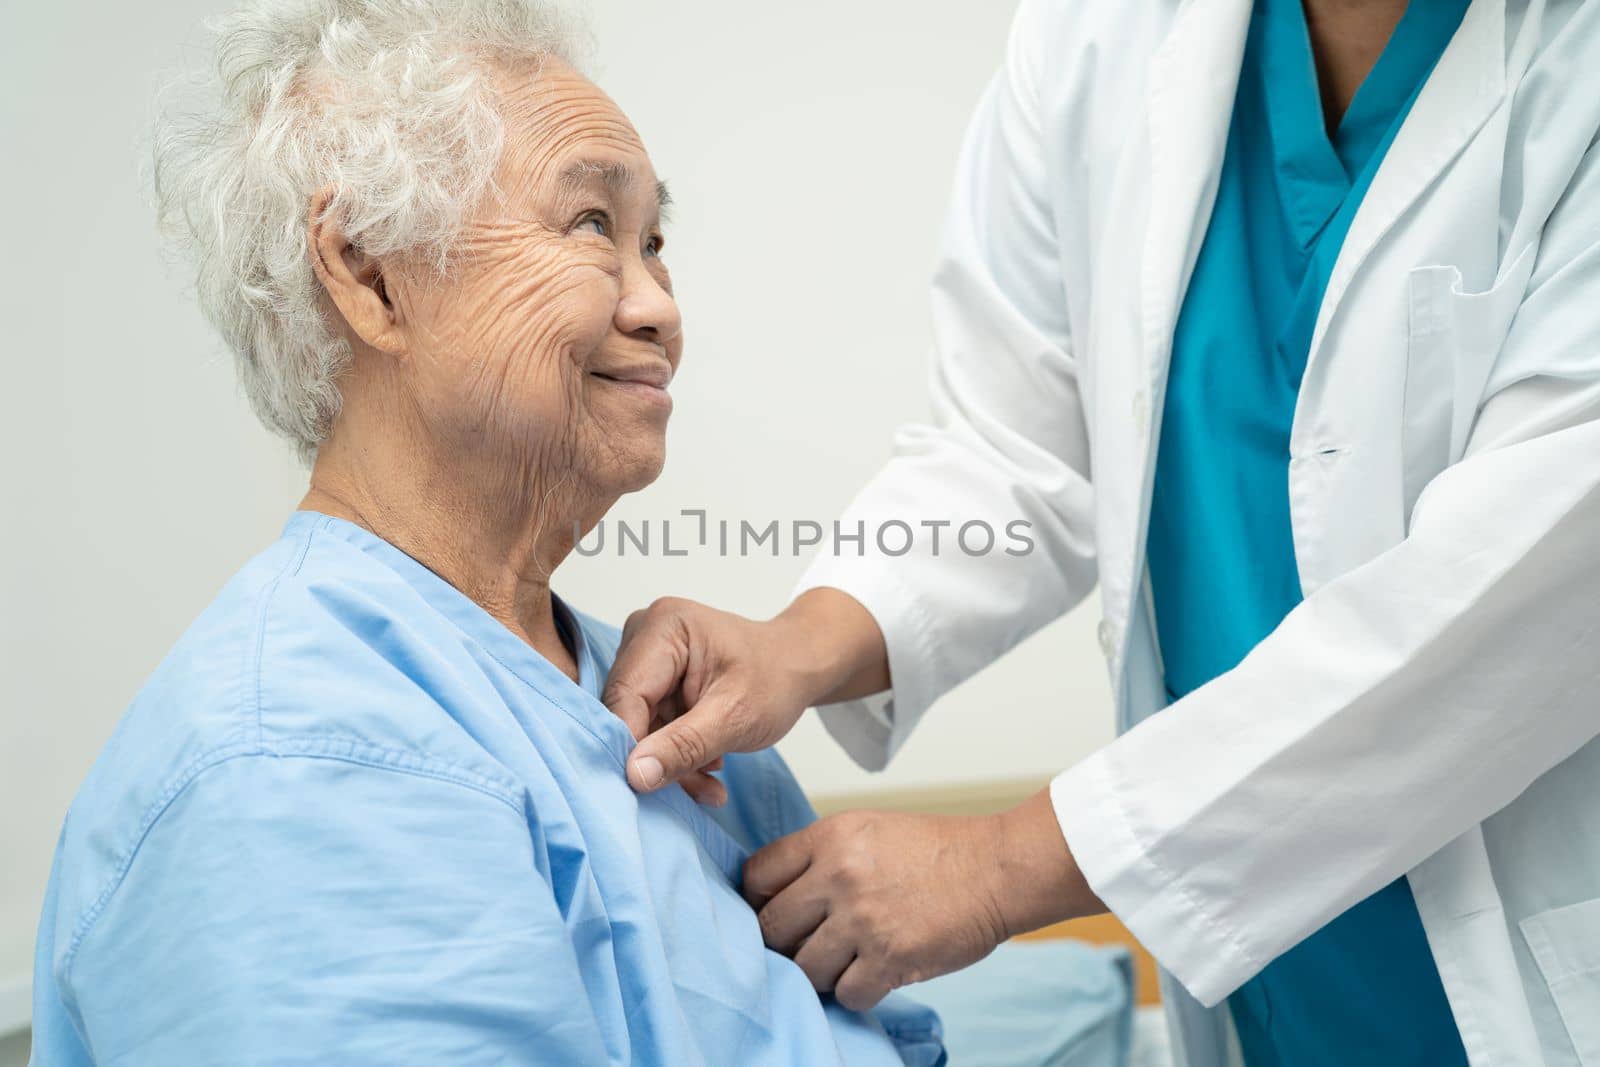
1007 446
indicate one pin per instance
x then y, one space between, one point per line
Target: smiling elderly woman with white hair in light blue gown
370 810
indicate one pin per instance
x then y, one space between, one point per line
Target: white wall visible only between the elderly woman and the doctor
810 151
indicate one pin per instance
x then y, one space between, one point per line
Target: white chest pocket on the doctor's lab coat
1455 338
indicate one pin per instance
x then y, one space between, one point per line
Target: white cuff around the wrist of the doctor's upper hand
873 730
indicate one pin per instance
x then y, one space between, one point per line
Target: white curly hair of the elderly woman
388 102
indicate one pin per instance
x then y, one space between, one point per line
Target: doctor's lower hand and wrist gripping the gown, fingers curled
870 901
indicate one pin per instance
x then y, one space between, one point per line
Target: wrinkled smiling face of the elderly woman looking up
550 346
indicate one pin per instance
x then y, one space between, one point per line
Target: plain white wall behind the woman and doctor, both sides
809 148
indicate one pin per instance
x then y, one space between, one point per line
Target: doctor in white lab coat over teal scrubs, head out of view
1281 322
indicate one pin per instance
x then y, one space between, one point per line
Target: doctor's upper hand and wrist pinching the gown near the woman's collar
692 682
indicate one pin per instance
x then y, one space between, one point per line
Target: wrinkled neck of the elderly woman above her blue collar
495 541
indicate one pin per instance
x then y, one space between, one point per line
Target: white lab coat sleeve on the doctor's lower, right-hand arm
1398 706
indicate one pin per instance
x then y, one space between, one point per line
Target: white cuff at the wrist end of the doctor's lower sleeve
1170 919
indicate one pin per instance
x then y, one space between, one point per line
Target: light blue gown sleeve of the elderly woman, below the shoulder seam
300 911
